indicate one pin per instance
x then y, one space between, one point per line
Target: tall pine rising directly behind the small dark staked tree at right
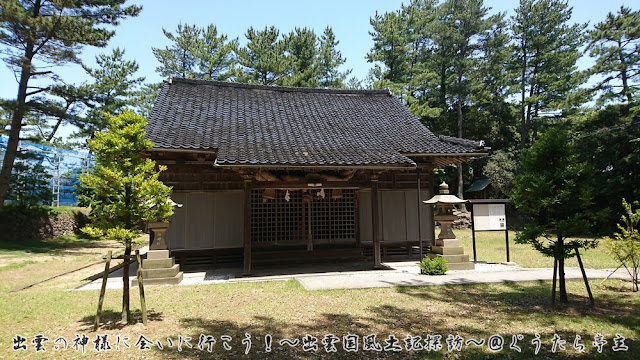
546 52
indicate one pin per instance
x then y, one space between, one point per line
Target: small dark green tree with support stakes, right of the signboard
553 189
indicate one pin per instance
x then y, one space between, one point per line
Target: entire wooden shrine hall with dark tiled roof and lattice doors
276 174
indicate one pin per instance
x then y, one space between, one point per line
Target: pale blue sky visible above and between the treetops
348 18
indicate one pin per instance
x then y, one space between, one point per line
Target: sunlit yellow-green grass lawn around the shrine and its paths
285 310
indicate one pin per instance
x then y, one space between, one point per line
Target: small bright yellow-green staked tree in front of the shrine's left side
126 189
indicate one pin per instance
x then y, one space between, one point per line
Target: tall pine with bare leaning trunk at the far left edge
38 33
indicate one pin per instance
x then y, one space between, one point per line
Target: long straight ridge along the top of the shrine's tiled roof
172 80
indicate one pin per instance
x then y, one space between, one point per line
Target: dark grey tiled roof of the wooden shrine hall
269 125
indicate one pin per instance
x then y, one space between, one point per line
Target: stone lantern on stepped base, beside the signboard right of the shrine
447 246
